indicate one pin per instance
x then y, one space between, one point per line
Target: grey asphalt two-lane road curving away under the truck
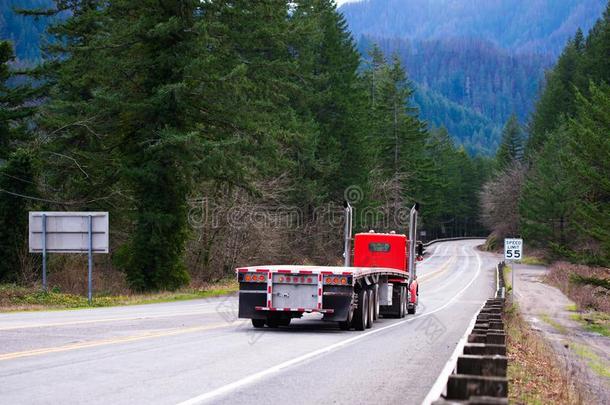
197 351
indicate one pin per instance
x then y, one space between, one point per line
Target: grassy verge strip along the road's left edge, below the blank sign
17 298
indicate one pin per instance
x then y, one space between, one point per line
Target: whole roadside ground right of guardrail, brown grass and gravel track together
553 358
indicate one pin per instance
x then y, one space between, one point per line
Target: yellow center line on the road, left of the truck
110 341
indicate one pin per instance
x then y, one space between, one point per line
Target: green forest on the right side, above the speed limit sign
559 176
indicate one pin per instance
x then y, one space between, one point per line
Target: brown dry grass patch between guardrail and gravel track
534 372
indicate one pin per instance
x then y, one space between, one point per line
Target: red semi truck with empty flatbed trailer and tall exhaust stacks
381 282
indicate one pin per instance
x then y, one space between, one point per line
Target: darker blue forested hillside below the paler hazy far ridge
469 86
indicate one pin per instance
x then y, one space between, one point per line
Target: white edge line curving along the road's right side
279 367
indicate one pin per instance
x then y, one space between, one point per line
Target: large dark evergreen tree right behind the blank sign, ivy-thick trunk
122 110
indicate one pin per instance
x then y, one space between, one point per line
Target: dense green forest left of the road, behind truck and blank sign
217 135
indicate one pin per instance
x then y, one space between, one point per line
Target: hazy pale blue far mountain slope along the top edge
541 26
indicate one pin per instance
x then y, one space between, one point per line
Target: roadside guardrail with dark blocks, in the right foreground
479 373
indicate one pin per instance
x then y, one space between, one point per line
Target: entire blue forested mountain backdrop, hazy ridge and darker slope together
473 63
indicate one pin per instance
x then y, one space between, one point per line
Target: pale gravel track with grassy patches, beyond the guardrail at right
586 355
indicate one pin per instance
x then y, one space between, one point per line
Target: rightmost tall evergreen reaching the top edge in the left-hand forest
327 56
